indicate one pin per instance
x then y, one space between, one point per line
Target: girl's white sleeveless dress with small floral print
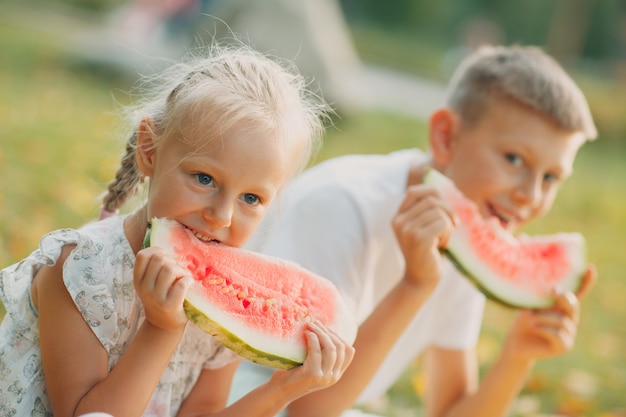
98 275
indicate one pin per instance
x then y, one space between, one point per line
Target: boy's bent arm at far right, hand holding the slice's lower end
535 335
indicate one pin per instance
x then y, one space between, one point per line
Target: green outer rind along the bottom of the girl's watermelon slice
234 343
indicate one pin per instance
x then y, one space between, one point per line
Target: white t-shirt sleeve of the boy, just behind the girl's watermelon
322 232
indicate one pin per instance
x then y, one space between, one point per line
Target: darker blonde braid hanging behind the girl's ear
127 178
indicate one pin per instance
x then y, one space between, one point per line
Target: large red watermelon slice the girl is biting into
256 305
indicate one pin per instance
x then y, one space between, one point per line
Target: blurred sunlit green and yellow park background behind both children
65 65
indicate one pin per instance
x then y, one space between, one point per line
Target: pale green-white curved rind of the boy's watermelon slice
524 299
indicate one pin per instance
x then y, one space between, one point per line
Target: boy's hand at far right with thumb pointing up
550 332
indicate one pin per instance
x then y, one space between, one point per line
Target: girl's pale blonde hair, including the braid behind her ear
231 86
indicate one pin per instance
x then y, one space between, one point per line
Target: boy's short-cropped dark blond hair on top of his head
525 74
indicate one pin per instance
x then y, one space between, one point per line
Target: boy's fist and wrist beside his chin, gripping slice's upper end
422 225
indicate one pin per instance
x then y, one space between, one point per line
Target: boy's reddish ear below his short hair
443 126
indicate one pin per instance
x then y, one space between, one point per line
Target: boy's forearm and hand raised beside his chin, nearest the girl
421 225
